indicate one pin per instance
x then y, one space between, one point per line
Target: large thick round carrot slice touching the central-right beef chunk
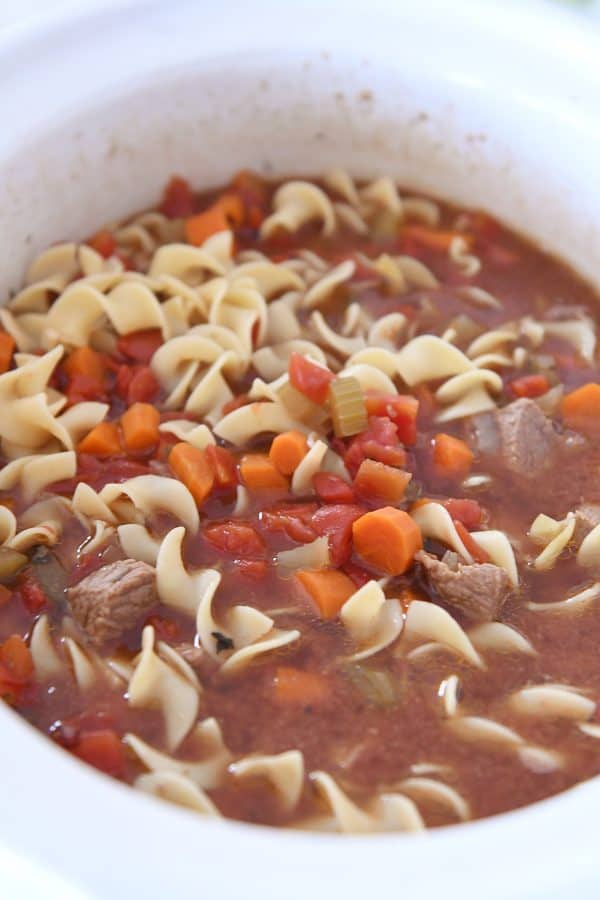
387 539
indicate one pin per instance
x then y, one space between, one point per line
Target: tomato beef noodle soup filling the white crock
300 507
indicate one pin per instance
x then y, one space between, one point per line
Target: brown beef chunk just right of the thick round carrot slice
477 591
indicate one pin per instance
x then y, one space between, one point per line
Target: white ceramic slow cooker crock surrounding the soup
492 105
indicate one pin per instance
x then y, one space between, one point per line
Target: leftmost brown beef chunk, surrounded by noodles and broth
110 601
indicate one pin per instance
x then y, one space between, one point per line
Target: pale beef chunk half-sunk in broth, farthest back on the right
520 433
